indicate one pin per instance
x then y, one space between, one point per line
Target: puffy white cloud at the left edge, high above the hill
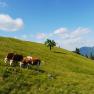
7 23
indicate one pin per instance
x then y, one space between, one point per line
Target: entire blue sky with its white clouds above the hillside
69 22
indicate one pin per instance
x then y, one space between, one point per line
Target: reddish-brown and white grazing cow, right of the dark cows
31 61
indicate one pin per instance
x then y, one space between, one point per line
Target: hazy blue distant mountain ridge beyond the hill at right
87 51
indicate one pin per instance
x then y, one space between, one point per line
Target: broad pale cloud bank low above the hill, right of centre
69 39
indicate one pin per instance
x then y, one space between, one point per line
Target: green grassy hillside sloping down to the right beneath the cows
61 71
